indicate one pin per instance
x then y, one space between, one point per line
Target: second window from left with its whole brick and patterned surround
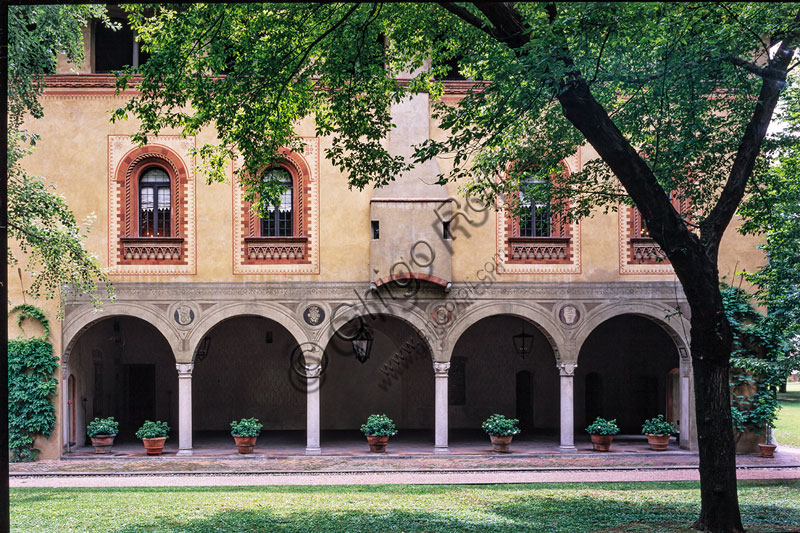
284 238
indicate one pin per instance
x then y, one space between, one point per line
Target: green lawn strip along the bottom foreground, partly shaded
573 507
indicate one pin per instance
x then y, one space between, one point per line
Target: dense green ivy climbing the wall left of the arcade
31 388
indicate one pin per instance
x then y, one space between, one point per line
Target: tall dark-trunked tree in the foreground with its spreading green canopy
676 99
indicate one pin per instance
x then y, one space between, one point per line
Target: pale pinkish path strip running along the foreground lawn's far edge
380 478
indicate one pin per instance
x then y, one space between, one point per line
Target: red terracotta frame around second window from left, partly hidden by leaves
258 249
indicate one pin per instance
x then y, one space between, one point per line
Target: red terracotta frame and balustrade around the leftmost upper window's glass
134 249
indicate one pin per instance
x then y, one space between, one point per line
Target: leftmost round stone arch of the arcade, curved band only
85 319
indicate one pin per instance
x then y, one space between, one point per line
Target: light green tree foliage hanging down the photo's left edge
39 219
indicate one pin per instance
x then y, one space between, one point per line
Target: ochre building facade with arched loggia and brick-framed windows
409 300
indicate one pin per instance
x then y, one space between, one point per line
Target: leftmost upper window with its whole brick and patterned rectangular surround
151 201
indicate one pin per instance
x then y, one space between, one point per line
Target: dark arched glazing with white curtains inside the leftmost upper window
155 203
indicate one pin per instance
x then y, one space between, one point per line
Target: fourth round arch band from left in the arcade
532 313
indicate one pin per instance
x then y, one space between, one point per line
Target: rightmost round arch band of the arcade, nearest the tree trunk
675 325
